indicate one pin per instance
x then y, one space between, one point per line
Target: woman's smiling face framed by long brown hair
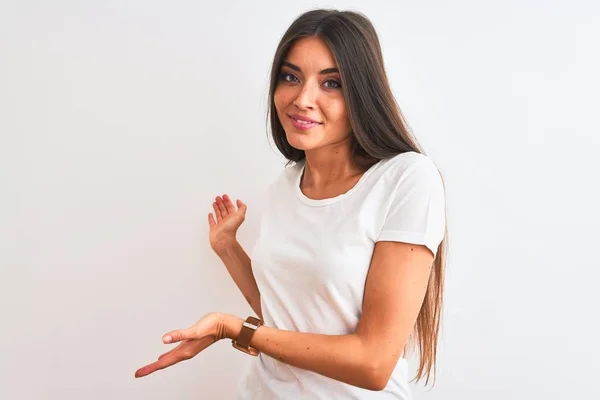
308 97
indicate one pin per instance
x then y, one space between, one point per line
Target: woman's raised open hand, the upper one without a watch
228 219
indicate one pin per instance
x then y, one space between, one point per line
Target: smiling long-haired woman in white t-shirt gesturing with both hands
348 267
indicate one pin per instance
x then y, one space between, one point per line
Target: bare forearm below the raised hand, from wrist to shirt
239 266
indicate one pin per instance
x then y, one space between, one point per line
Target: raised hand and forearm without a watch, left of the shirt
223 231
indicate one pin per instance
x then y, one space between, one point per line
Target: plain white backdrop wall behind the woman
121 120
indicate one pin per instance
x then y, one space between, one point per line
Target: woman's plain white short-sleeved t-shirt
311 262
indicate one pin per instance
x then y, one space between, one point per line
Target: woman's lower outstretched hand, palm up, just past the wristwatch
208 330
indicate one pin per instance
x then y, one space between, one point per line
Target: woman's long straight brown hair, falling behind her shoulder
379 131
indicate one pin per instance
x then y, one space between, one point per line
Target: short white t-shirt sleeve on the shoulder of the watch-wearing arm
417 210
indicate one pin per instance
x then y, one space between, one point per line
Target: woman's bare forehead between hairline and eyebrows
311 54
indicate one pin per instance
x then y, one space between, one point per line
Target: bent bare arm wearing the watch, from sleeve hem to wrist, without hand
394 292
